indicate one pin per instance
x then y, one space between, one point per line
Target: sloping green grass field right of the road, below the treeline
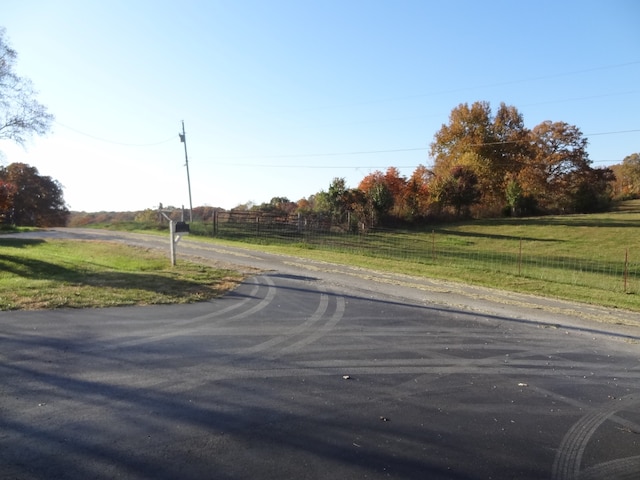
588 258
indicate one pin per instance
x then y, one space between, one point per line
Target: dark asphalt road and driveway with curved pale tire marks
311 370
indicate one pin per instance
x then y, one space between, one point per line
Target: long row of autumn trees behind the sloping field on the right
485 164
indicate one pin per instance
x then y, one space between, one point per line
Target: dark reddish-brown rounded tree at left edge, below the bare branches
37 200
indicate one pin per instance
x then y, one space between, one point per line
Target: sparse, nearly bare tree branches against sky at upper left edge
21 116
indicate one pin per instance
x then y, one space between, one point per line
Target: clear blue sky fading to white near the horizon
279 97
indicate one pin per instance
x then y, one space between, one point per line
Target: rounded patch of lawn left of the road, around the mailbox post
37 274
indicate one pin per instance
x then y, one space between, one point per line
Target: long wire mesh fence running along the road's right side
444 248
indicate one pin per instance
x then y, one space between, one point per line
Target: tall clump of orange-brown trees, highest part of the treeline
547 167
